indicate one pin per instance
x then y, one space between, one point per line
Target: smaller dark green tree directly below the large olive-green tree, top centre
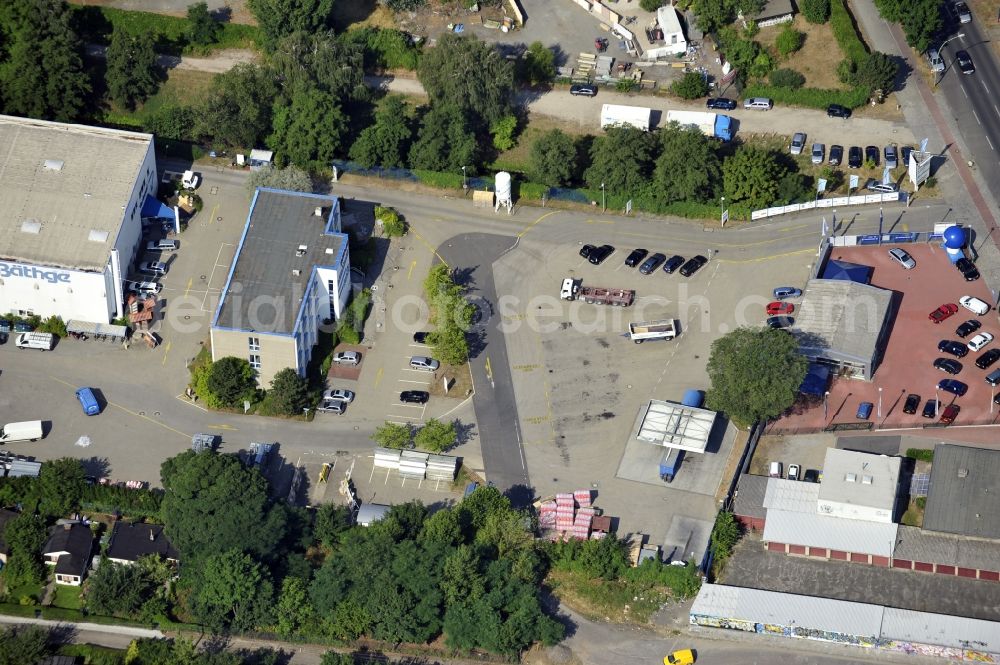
444 142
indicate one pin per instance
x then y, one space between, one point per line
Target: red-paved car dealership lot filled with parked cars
907 366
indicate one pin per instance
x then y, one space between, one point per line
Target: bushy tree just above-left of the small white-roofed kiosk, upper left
237 112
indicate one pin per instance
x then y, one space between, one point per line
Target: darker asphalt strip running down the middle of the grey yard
472 256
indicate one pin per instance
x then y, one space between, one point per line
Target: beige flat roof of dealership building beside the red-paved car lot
841 320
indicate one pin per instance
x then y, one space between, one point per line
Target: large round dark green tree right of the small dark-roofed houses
212 503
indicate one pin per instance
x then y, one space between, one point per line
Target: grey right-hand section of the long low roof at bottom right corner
941 629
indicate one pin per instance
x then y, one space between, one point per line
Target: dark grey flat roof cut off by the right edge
965 486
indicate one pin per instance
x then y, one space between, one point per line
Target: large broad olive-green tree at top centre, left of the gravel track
469 74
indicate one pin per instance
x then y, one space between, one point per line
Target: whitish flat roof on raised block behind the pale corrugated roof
860 479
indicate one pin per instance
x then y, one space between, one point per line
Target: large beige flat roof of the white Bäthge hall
64 188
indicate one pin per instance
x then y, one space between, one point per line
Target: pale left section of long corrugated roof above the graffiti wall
838 616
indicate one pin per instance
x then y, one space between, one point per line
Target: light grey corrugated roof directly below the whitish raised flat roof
836 533
